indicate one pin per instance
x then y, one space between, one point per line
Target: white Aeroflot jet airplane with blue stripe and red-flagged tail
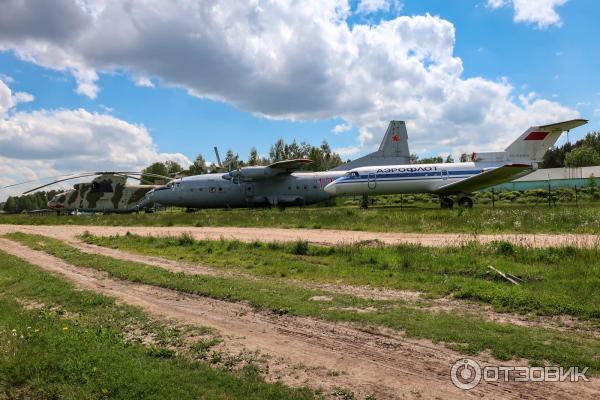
455 179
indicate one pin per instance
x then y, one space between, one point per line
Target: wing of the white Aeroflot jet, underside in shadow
486 179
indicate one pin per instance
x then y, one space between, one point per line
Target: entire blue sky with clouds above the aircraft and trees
106 84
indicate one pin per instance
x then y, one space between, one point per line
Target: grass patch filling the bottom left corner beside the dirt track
60 343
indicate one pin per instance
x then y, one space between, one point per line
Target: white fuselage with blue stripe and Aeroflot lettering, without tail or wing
412 178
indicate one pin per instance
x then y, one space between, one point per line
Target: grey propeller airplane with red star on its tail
279 184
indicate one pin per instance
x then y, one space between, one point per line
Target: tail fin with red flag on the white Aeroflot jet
535 141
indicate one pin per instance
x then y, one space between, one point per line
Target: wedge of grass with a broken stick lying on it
556 280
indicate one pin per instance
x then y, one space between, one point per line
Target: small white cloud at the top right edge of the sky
541 13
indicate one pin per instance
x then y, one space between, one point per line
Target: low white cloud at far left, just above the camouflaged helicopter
52 142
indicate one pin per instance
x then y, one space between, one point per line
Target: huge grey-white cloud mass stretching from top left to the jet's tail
284 61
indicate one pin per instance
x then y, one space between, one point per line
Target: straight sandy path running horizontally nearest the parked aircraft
318 236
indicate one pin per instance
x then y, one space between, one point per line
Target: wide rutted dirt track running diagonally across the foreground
371 362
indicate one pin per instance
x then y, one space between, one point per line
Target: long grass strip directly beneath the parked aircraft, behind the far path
519 219
